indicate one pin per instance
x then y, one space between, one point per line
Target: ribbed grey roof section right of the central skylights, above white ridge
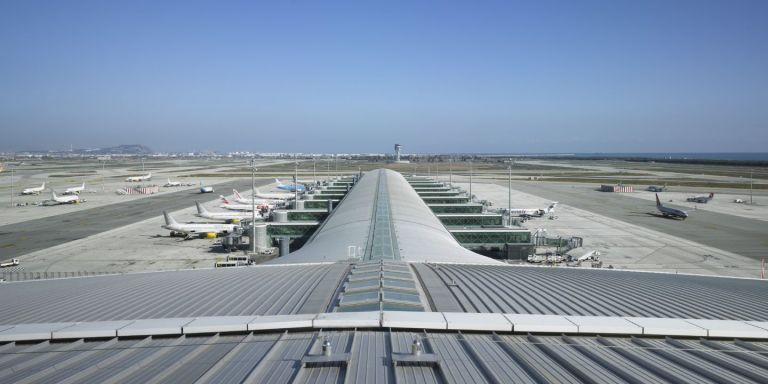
569 291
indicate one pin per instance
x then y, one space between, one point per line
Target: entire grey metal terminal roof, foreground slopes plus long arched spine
382 293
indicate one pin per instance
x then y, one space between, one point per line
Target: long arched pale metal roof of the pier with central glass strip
383 217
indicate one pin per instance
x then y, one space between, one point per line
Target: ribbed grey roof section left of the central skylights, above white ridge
214 292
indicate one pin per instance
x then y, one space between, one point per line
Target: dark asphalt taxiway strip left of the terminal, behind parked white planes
28 236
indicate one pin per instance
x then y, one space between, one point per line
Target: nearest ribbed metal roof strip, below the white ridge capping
385 357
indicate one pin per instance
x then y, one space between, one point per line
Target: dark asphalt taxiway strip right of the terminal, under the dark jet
743 236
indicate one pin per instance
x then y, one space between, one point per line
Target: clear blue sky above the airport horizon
358 76
